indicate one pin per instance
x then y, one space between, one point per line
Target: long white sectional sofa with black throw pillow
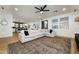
33 34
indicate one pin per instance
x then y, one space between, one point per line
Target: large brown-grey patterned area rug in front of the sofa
44 45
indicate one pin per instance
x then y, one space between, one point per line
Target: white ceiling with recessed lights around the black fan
26 13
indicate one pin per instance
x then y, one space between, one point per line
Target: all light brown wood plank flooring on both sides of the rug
5 41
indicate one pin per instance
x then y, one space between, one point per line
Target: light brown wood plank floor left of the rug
5 41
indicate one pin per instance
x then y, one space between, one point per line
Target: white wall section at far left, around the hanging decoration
6 30
